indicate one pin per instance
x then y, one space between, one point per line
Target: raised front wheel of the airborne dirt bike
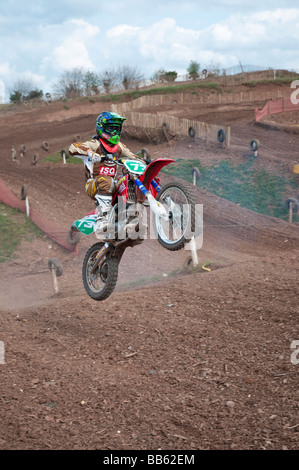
178 201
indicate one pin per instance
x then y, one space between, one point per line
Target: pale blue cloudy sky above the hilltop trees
41 39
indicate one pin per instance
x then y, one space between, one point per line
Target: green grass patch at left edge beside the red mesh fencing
14 227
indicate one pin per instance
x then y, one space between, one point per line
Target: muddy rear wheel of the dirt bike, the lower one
100 283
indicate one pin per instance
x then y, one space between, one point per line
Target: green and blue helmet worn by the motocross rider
108 127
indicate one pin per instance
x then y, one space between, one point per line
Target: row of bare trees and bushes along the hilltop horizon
78 83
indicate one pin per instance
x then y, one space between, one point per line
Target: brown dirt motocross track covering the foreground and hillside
173 359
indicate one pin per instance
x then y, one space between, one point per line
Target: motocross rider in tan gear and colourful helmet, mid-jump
100 171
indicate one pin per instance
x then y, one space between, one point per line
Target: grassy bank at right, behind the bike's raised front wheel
244 184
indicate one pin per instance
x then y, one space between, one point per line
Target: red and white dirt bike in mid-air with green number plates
173 210
